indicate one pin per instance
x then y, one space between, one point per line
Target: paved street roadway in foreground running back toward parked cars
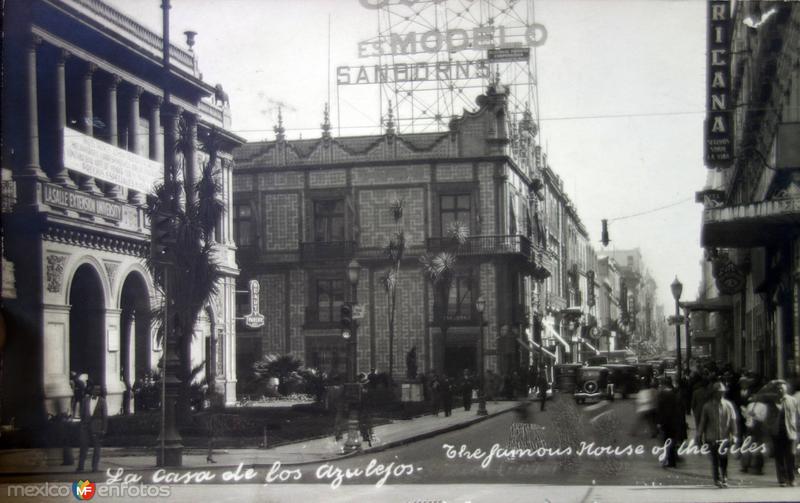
422 471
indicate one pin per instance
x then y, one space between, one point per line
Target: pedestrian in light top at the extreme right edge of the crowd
783 420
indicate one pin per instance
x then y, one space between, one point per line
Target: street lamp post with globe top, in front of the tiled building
353 393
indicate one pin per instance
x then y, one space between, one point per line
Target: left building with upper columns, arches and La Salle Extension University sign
83 128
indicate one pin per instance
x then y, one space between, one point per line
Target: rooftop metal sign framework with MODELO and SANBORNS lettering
432 58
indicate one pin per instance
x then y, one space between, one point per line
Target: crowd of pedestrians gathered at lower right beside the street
729 411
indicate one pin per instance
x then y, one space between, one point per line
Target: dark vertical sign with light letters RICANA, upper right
719 123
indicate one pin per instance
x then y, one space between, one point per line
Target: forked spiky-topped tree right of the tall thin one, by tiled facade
440 269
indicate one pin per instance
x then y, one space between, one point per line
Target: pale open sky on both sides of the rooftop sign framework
620 87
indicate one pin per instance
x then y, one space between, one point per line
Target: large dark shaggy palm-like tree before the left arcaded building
195 274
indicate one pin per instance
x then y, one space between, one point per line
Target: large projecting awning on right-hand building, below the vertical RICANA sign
750 225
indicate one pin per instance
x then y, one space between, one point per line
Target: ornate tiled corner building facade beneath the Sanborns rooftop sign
305 209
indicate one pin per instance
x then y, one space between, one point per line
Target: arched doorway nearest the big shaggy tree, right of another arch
135 344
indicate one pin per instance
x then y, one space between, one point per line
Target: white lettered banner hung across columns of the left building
98 159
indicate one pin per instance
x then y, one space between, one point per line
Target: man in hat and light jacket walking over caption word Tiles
717 429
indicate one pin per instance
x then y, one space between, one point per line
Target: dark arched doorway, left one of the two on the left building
87 342
